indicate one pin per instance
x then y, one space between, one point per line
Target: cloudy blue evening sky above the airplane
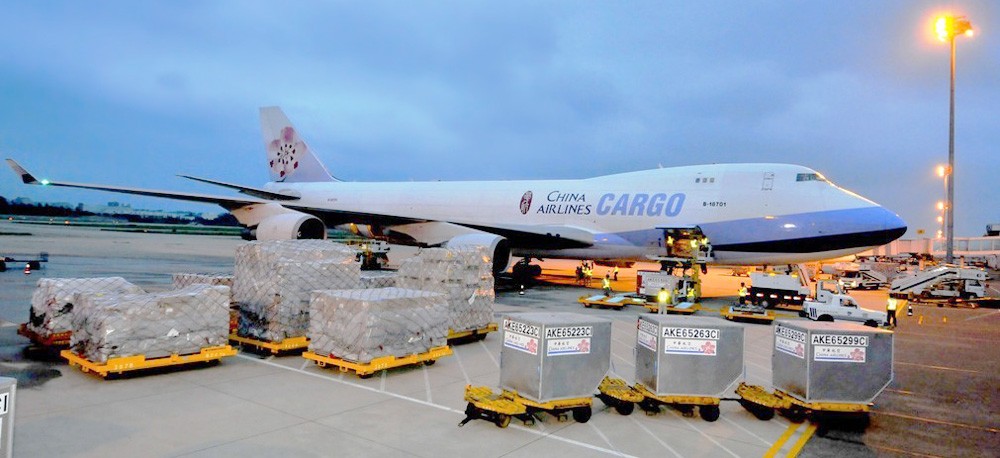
133 93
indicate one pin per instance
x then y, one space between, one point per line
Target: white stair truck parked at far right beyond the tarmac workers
942 282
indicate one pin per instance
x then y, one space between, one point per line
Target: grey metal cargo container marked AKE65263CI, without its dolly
688 355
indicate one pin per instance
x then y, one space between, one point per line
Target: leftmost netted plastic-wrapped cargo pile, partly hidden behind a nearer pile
52 301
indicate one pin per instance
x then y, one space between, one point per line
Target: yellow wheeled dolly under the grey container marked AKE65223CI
499 408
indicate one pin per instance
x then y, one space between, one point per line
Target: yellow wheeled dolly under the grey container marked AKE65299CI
763 404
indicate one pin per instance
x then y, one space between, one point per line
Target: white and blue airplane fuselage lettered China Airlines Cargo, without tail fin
751 213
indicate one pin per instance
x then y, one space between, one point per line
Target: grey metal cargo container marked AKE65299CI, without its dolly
831 361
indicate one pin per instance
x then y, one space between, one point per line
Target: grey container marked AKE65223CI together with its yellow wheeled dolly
549 363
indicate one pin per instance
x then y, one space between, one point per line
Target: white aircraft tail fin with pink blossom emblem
289 158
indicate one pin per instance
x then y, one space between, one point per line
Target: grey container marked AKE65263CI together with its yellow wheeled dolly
669 351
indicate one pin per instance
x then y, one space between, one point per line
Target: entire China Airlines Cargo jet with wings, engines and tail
749 213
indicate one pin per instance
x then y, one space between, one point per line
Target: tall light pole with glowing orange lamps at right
948 27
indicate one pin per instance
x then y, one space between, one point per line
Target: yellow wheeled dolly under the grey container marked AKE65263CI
617 389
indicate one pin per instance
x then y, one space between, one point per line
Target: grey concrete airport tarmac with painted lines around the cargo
943 401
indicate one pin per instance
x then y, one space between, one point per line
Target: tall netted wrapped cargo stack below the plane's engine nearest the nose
463 275
